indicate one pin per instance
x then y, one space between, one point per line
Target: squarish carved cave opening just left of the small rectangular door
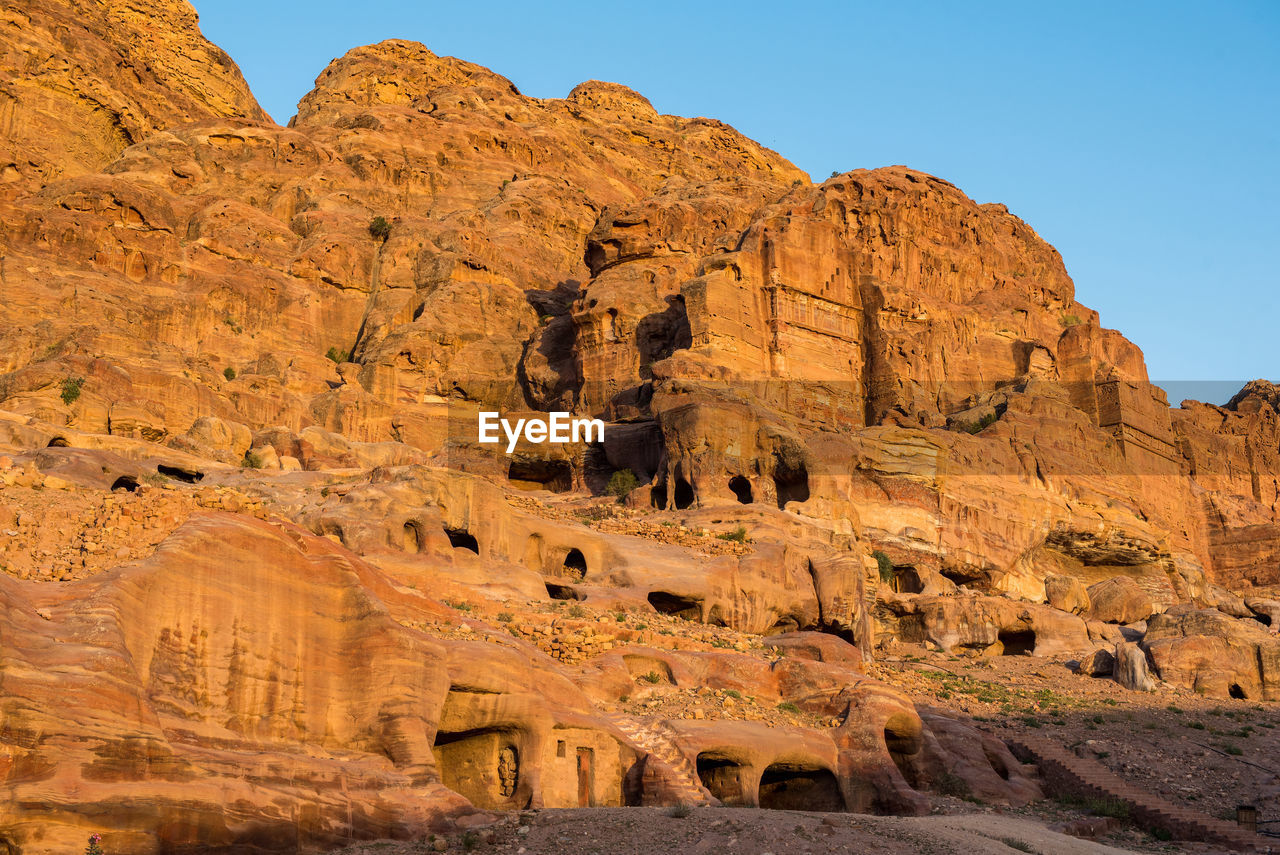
483 766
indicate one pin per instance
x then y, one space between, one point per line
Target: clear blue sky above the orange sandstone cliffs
1141 139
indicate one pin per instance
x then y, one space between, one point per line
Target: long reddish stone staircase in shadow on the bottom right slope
1066 774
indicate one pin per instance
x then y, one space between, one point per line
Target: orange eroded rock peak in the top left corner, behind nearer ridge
85 81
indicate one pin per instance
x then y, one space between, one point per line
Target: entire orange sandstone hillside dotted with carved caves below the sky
264 589
